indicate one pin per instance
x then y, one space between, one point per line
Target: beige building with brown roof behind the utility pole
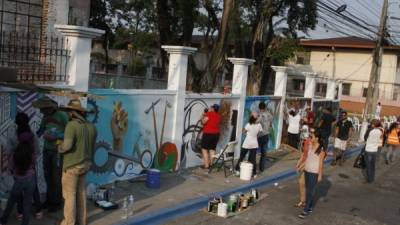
350 60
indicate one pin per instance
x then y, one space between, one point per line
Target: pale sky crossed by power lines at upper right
365 12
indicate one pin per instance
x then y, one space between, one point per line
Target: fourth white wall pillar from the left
280 91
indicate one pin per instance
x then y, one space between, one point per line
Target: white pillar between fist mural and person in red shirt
177 73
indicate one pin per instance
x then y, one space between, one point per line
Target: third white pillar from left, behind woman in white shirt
239 83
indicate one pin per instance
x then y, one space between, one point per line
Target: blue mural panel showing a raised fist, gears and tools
131 136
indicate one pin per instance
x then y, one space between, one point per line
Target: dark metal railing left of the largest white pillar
36 58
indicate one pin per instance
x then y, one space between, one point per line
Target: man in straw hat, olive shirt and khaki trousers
77 148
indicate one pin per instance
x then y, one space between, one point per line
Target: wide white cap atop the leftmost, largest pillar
78 31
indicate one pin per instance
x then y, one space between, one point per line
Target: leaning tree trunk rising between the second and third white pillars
217 59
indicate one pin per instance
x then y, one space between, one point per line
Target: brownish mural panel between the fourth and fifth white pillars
299 105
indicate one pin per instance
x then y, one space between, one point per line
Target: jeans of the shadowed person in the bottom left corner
22 187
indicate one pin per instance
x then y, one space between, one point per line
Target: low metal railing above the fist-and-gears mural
102 80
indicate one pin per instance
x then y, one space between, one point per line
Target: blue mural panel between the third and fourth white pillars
272 106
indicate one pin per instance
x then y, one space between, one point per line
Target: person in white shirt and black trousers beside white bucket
250 143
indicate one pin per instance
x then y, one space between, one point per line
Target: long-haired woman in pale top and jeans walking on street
313 168
